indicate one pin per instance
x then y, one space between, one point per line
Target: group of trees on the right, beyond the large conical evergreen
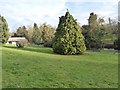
99 34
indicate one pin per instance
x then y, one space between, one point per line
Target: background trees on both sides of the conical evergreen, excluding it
97 34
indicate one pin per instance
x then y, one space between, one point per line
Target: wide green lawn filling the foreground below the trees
39 67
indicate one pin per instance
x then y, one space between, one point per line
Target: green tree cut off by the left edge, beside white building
4 31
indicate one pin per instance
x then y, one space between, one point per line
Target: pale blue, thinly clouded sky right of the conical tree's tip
82 10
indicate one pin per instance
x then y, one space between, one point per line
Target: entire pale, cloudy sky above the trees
26 12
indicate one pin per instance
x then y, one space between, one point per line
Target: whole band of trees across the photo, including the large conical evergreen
69 36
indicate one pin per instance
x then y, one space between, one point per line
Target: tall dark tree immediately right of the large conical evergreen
93 33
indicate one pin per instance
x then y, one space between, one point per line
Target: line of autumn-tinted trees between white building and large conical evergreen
36 34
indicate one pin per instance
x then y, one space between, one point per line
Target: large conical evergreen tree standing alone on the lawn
68 37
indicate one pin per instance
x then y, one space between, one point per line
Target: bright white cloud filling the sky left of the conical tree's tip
23 11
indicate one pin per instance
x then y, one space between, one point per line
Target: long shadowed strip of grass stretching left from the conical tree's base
40 49
